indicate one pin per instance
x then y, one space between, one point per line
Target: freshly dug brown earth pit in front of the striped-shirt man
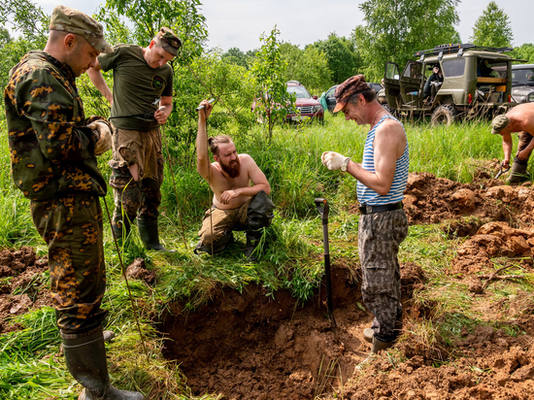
252 346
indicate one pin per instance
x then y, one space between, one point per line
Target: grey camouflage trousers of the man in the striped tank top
379 237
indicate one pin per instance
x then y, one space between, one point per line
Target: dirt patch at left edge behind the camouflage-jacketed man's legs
21 284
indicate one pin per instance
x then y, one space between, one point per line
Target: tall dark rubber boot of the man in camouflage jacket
85 355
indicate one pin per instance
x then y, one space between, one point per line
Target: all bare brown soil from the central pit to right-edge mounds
252 346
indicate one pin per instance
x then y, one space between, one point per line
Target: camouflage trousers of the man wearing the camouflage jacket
71 226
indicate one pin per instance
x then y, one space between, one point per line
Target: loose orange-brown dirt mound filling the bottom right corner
492 366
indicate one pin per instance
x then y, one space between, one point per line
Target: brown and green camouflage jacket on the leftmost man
52 151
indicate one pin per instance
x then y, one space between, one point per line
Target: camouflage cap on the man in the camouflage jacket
68 19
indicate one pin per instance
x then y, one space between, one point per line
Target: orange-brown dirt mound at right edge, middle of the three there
494 239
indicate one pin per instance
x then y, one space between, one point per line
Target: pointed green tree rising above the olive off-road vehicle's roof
493 28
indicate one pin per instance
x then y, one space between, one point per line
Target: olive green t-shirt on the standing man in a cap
136 87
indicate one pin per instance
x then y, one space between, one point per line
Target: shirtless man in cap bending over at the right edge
518 119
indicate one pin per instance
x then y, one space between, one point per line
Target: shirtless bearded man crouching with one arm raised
236 204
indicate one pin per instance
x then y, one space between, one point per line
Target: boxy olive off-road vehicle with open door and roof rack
477 82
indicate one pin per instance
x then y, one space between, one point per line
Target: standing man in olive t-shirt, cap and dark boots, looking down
142 79
